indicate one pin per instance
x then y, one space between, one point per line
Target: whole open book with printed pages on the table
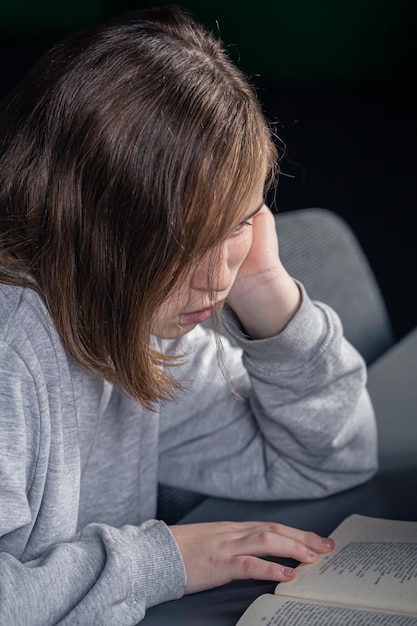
370 578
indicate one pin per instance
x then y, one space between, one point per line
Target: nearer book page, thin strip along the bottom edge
270 610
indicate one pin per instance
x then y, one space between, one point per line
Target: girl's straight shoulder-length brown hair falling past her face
128 151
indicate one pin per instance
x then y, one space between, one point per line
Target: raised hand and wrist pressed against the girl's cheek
264 296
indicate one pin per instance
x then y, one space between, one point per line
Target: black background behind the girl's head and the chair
335 76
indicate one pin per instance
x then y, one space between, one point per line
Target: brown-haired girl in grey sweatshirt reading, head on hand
133 164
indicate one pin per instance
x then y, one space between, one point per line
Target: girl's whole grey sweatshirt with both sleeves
80 463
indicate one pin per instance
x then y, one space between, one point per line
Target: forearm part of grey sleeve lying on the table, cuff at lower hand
103 576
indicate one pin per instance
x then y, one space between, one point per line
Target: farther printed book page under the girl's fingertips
374 565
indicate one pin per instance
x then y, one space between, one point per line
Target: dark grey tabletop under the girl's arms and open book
391 494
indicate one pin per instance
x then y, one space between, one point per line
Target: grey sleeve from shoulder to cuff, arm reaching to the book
98 575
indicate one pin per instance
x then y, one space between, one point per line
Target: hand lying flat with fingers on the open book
219 552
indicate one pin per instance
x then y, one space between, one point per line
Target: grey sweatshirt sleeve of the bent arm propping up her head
303 427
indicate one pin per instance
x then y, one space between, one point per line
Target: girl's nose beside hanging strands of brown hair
214 271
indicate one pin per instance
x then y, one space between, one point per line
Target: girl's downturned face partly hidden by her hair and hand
206 288
